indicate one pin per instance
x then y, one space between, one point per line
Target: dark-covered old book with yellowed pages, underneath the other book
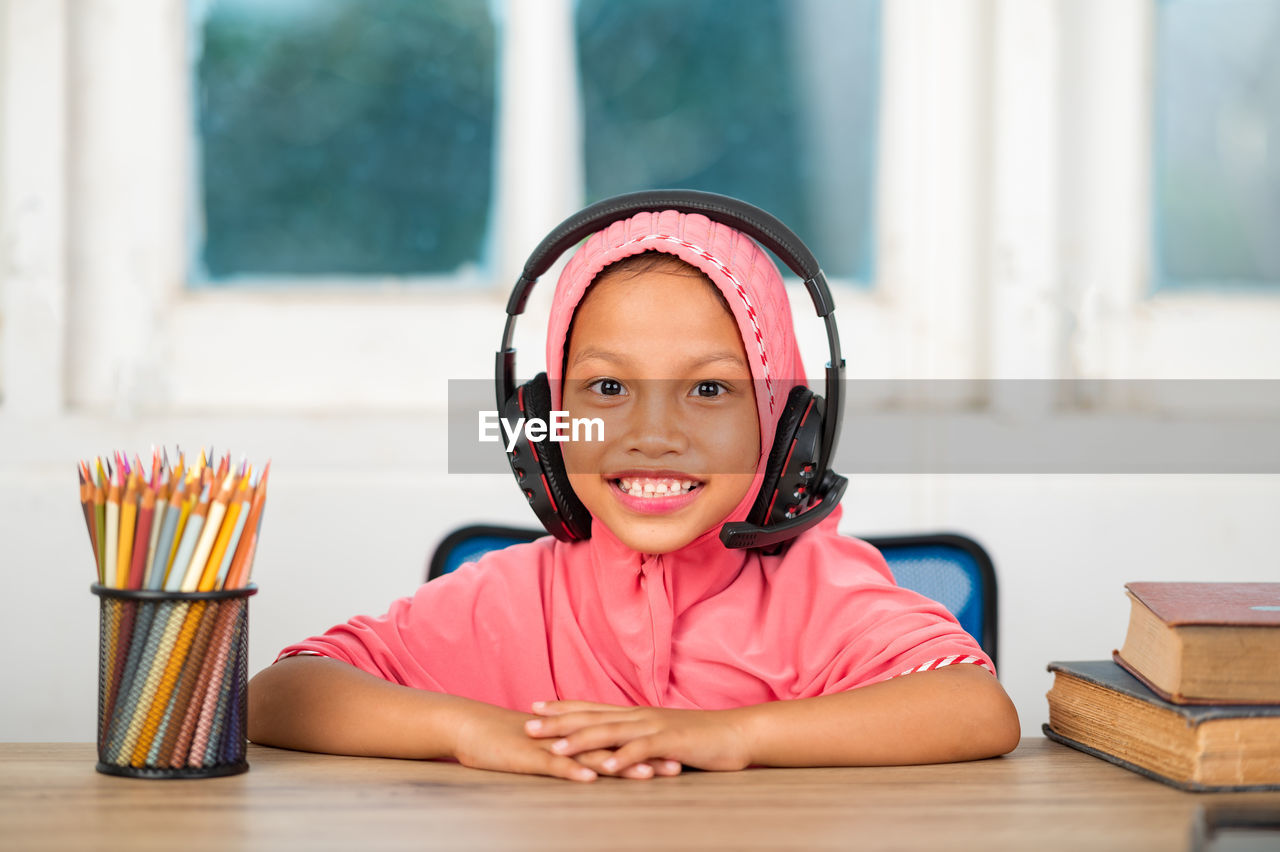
1101 709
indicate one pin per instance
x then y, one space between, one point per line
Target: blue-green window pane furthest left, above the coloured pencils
346 138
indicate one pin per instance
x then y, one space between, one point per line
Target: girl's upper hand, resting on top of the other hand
702 739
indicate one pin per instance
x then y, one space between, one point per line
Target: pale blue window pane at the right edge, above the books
1218 144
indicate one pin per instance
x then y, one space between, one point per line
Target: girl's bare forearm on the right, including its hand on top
956 713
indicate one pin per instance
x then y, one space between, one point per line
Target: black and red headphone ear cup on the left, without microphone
540 468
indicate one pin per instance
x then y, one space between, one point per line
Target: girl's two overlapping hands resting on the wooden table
582 740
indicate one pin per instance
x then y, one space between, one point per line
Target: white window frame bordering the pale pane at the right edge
1124 327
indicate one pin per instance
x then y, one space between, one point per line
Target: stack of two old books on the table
1194 697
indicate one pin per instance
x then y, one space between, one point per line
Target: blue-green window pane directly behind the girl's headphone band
772 102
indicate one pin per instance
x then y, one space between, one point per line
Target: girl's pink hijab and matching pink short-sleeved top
703 627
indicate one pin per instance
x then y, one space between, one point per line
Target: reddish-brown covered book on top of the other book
1205 643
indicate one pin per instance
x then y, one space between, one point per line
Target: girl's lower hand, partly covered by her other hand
491 738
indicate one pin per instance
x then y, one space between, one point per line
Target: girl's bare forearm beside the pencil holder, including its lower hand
318 704
